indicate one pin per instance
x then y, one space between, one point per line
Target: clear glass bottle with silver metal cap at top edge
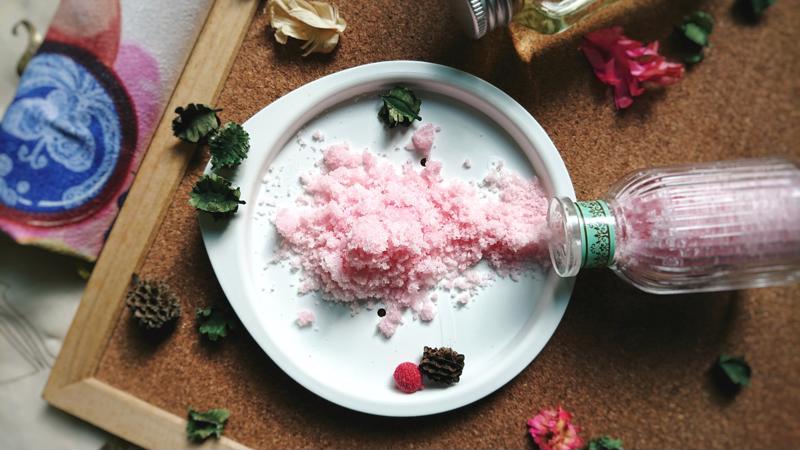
478 17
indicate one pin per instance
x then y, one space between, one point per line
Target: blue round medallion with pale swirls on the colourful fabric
62 127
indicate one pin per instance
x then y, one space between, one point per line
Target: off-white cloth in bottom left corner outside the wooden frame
39 294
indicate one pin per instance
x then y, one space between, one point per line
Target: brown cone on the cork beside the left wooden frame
153 304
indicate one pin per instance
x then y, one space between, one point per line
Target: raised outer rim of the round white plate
224 240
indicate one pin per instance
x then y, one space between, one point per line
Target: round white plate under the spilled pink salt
342 357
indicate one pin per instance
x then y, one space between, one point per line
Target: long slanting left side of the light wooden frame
150 195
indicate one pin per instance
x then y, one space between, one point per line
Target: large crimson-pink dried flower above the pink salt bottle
625 64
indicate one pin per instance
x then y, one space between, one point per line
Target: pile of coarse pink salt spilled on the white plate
368 230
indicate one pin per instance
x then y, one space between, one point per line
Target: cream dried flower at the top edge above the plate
317 23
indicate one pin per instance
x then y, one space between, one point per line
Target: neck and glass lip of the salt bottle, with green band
582 234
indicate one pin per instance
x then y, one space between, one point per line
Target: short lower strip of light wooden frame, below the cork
128 417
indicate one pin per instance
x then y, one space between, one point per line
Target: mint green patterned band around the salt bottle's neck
597 233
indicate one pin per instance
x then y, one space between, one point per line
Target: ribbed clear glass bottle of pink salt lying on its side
691 228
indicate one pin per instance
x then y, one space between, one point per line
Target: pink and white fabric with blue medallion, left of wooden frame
85 110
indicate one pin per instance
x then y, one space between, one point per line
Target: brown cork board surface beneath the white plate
628 364
